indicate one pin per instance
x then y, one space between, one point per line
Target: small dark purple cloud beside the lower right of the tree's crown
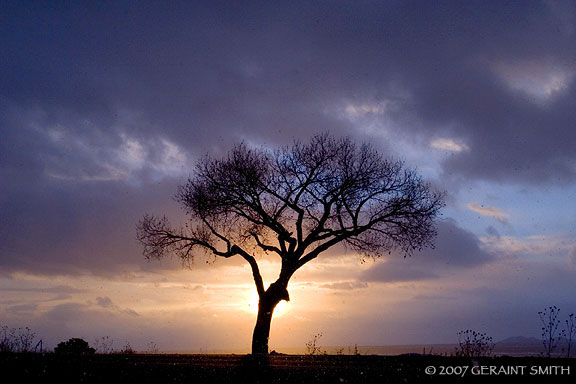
455 249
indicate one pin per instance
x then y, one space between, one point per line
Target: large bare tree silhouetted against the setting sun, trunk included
296 203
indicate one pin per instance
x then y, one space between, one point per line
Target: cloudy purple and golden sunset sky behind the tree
106 106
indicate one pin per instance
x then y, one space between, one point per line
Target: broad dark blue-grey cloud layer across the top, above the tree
215 72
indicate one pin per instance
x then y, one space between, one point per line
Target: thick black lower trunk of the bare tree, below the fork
266 305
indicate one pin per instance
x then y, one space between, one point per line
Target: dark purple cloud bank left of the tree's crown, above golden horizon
61 228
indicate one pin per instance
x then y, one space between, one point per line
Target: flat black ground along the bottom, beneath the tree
43 368
